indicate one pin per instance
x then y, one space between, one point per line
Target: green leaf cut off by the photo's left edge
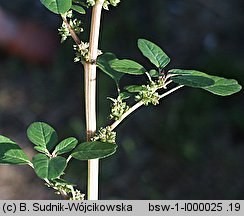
11 153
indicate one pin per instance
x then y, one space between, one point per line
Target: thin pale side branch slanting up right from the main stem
138 105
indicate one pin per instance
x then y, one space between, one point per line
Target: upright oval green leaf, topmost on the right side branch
154 53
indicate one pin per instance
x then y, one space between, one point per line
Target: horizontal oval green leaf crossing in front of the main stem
93 150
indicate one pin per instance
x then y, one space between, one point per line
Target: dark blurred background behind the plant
191 146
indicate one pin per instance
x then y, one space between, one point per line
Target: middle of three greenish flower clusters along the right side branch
118 108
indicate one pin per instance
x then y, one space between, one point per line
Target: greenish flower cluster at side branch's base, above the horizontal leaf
105 135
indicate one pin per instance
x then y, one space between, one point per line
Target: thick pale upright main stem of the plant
90 97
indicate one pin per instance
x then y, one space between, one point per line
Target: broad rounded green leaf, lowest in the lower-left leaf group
48 168
